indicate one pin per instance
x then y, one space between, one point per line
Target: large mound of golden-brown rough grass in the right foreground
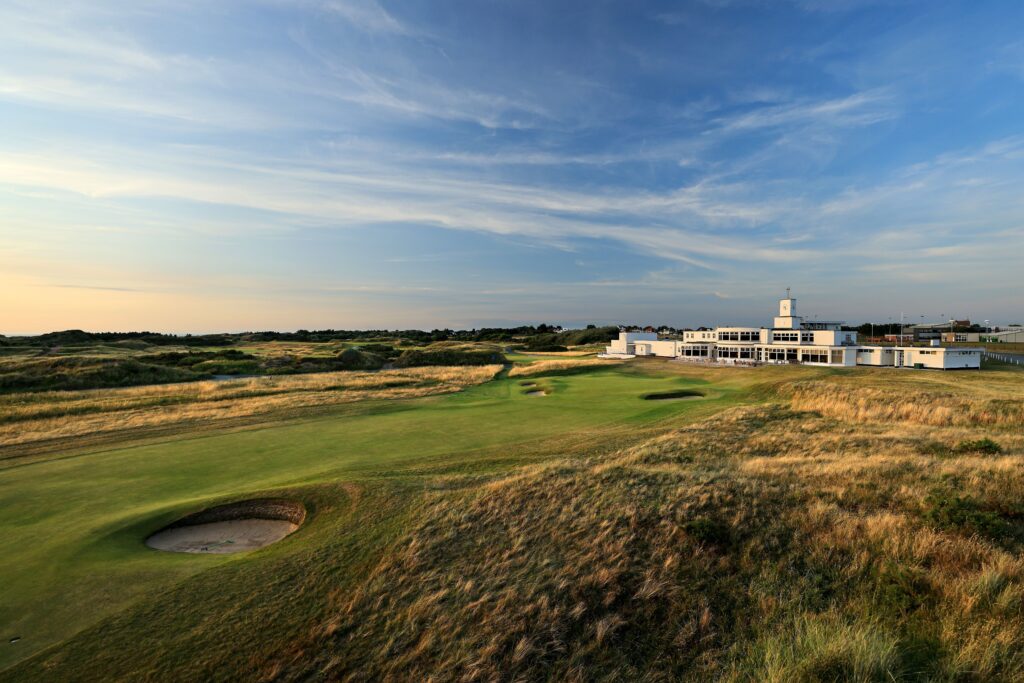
762 544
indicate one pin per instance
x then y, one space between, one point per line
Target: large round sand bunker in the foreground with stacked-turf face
235 528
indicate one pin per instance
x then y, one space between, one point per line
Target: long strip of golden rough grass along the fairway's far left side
32 417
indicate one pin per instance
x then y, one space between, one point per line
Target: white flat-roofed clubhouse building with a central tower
791 339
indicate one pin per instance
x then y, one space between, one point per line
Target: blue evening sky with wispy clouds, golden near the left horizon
195 166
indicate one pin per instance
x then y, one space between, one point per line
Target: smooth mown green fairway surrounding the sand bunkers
73 552
